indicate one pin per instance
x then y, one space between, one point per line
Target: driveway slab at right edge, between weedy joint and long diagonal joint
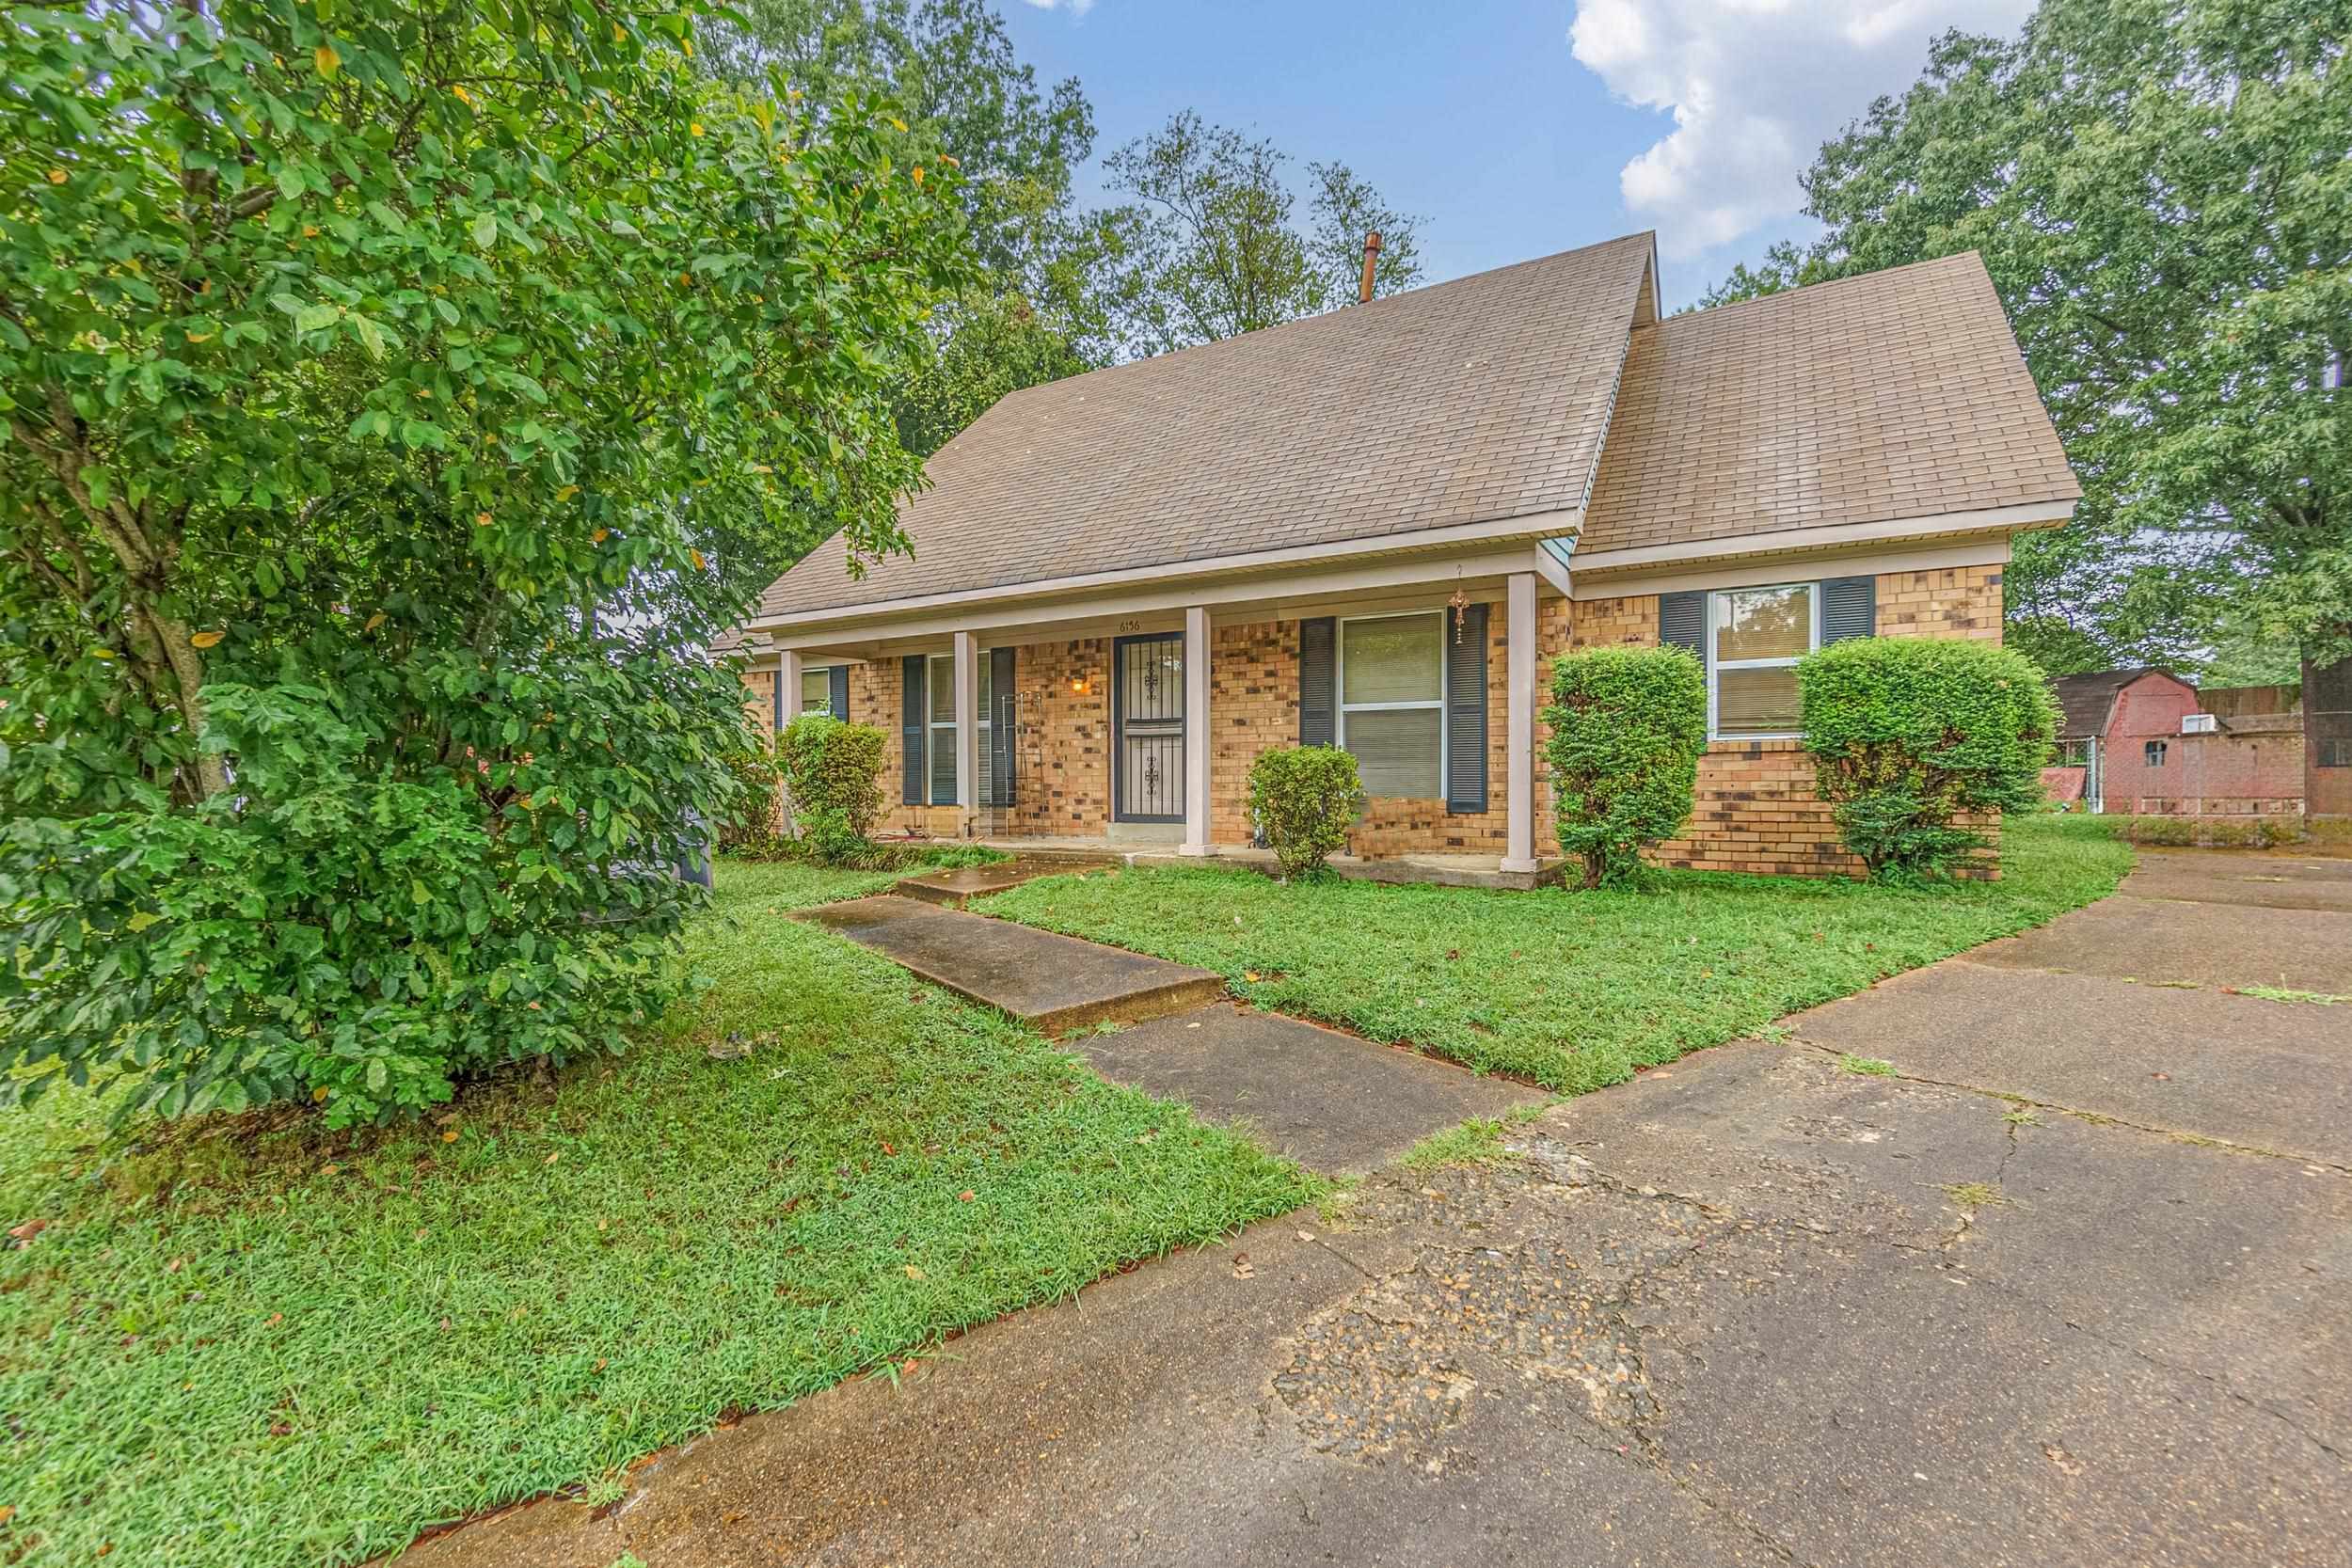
2273 1076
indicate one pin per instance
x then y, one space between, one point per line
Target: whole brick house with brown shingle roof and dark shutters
1377 525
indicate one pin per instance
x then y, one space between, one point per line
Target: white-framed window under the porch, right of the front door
1394 702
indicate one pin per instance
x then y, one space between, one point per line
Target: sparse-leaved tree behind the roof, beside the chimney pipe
1210 248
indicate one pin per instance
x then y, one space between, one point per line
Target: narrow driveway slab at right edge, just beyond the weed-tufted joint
2210 944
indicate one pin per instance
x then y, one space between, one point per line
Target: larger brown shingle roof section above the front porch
1469 401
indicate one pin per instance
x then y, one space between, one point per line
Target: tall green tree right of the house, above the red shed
2160 192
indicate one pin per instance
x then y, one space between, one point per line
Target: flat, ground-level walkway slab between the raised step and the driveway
1330 1101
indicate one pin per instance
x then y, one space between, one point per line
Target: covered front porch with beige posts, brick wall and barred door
1130 728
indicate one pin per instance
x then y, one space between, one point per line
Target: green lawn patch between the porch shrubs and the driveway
1572 991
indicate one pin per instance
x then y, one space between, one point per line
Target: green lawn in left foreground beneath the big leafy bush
272 1348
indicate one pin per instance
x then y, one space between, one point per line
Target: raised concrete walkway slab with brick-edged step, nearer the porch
1050 981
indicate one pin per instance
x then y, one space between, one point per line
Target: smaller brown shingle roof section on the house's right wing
1873 398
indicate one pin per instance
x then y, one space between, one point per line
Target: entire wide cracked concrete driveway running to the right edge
2071 1287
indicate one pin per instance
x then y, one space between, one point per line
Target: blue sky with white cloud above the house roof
1509 128
